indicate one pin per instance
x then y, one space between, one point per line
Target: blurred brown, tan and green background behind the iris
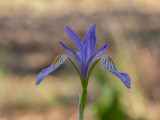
29 35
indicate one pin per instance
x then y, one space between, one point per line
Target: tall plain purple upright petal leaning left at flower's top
74 37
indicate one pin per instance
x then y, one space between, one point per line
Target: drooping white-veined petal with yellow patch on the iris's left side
56 63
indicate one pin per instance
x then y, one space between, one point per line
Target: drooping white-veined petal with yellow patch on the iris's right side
108 64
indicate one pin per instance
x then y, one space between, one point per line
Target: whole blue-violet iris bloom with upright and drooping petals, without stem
85 59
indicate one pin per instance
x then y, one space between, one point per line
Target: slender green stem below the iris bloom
82 103
